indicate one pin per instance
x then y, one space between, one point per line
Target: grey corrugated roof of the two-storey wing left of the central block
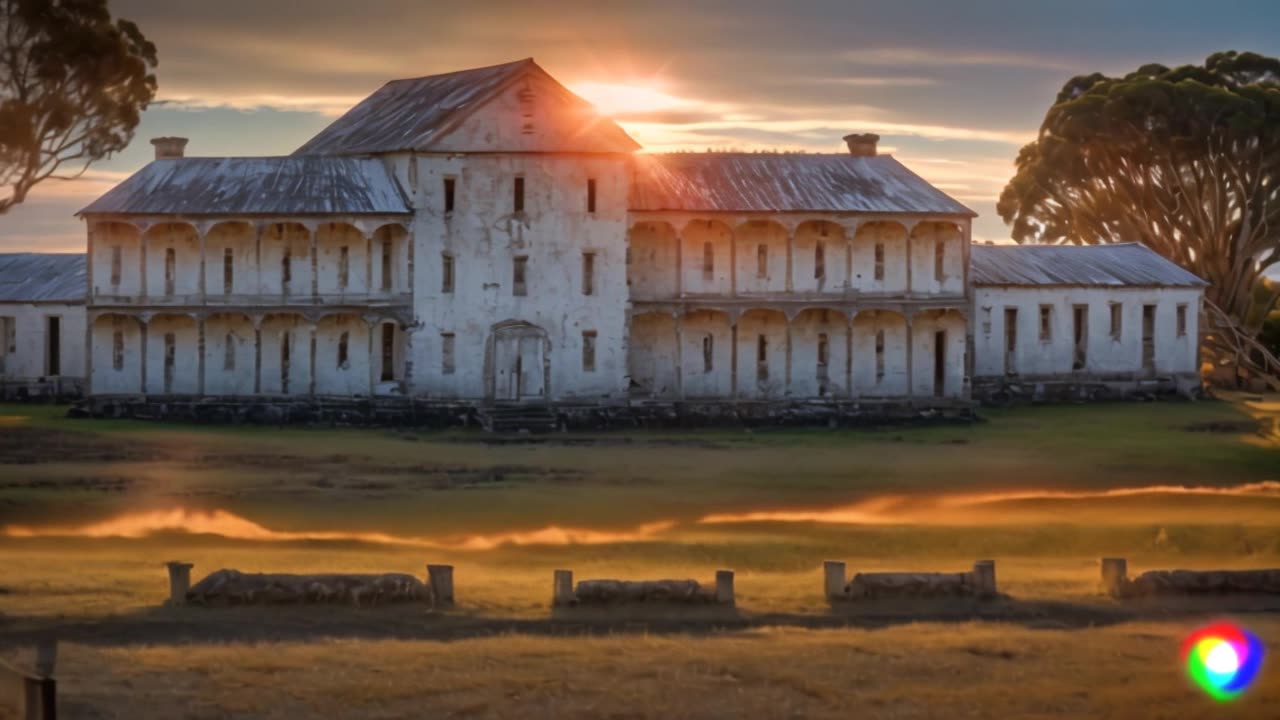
258 186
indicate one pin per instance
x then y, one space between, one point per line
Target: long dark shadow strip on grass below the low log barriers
184 626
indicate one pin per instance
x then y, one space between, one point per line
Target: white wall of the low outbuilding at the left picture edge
25 340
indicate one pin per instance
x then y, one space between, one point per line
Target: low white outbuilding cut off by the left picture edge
42 325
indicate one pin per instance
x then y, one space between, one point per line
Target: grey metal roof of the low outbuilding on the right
1117 265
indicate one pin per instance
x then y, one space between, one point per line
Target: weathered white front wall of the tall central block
484 235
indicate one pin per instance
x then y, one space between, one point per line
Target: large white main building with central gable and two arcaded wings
484 236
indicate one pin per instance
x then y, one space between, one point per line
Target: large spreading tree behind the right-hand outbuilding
1186 161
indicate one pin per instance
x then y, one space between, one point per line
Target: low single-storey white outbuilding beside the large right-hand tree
1059 322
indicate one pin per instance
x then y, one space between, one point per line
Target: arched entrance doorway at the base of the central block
518 363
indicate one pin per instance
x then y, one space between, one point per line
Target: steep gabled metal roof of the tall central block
413 115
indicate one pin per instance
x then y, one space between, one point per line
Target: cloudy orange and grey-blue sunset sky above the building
954 89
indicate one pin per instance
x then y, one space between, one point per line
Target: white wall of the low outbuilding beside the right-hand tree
1105 356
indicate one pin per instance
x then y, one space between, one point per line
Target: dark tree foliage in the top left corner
74 85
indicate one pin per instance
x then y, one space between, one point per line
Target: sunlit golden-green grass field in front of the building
92 509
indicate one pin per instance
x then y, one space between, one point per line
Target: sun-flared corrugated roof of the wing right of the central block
784 183
